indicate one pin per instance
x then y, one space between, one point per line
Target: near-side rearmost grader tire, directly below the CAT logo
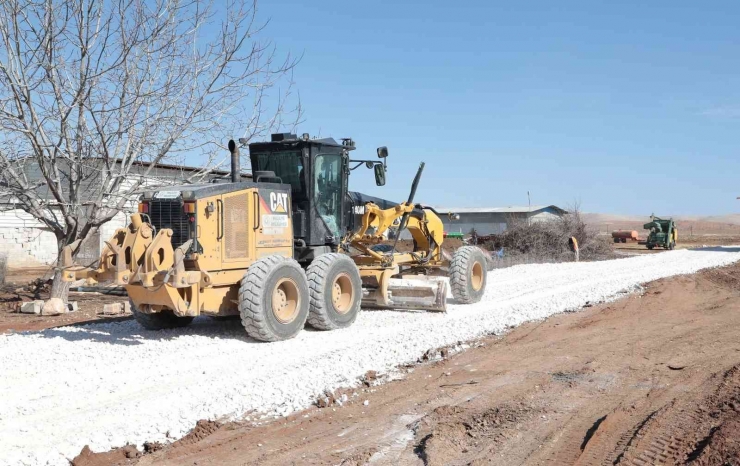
274 299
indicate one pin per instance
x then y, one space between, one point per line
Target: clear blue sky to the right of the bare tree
628 107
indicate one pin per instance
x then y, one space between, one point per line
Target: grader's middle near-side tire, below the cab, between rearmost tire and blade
336 292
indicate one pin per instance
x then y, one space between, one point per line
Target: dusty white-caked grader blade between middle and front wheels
417 293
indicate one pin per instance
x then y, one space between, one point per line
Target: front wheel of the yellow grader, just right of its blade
468 274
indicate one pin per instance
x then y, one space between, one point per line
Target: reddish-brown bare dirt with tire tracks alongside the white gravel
652 378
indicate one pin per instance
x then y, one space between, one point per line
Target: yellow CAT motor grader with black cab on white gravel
278 251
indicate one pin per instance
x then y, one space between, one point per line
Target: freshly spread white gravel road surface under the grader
106 385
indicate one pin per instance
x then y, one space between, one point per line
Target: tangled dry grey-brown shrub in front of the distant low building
547 241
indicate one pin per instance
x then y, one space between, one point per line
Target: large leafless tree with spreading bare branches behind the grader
95 93
